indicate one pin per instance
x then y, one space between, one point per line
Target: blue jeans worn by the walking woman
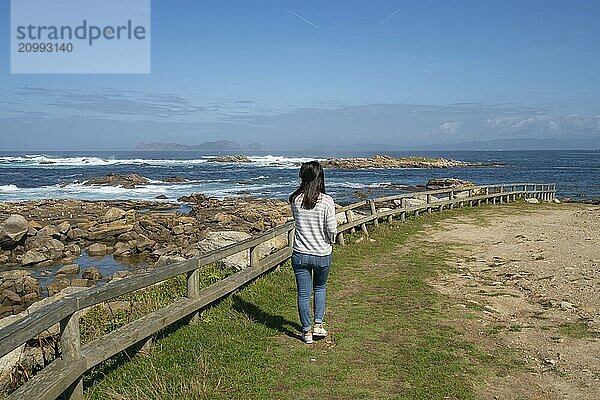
311 273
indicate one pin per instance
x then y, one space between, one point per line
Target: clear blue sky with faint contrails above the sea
286 73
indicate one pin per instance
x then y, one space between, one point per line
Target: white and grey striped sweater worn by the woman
315 229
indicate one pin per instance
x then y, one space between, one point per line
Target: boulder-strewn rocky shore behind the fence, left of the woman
55 233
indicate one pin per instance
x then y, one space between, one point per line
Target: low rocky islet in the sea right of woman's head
392 162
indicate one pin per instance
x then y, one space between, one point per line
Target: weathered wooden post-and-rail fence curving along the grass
64 376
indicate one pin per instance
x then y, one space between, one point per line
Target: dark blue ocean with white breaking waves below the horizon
56 175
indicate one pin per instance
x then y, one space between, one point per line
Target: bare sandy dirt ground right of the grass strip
528 282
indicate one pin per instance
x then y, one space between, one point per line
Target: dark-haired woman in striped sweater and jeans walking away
316 228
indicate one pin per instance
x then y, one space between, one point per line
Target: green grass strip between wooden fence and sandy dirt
388 340
